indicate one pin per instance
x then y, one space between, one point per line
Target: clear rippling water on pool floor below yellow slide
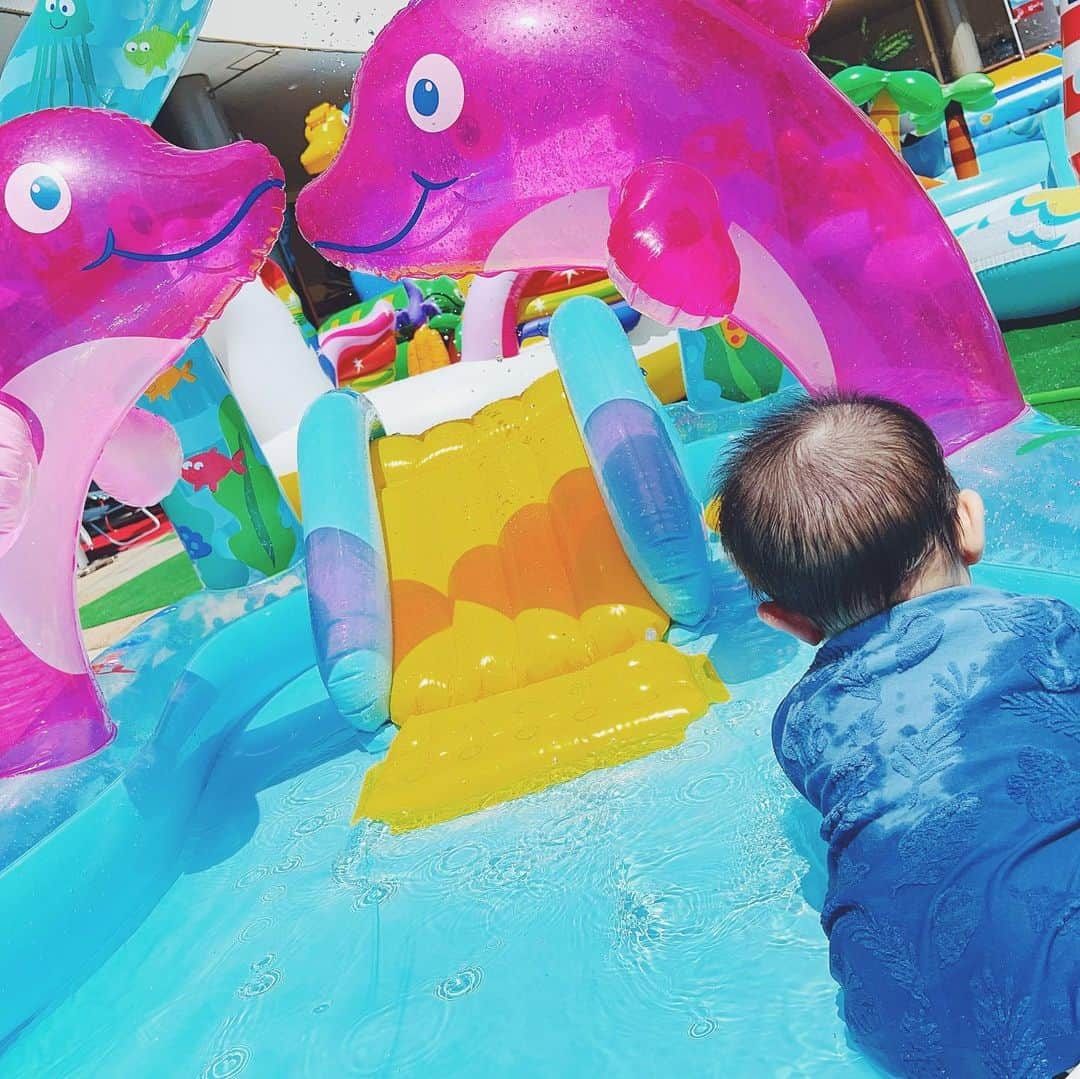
663 914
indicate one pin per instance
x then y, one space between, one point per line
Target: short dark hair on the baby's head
831 506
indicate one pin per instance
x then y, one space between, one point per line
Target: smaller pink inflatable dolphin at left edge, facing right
118 249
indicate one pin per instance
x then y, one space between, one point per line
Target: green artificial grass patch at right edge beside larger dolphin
1047 358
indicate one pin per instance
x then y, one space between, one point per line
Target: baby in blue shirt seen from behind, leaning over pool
938 733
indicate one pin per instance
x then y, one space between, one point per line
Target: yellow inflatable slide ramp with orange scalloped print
526 651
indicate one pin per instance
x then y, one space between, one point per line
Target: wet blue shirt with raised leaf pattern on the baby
941 744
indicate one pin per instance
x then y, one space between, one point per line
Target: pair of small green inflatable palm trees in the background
922 98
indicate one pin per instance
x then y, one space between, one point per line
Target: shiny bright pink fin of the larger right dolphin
669 250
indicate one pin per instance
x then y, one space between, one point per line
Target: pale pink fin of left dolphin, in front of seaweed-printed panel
142 462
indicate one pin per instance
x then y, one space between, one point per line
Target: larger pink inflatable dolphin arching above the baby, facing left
691 149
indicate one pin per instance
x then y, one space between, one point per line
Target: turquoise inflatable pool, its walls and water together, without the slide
194 901
